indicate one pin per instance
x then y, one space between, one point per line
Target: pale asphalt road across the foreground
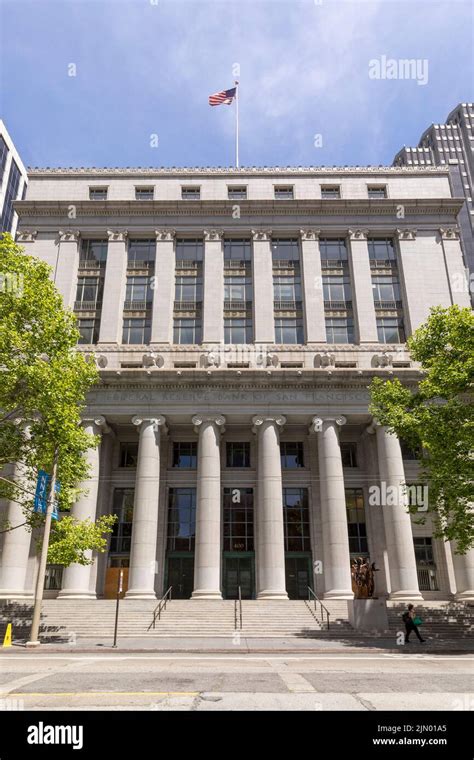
201 682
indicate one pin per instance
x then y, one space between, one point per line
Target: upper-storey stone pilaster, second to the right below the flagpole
315 323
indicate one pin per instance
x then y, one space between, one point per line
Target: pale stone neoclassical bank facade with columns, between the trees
237 317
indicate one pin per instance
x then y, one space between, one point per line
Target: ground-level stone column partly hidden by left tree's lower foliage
77 578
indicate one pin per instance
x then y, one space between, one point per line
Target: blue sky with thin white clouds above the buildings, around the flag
146 67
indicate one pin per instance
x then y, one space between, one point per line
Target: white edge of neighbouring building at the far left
13 181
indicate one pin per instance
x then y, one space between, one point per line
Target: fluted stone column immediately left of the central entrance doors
207 560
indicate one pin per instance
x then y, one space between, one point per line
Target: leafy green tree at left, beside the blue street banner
43 382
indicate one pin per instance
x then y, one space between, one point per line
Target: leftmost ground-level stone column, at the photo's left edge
16 544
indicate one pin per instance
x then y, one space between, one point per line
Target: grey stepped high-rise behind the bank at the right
451 144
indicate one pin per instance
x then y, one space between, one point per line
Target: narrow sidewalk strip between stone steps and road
247 645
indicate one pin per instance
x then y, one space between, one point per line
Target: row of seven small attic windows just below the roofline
238 192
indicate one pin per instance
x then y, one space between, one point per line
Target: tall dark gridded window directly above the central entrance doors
238 520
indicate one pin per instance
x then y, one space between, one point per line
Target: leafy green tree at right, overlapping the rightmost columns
437 418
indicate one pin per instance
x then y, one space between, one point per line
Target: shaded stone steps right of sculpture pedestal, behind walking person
441 620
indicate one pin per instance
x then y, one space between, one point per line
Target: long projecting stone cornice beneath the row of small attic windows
197 209
